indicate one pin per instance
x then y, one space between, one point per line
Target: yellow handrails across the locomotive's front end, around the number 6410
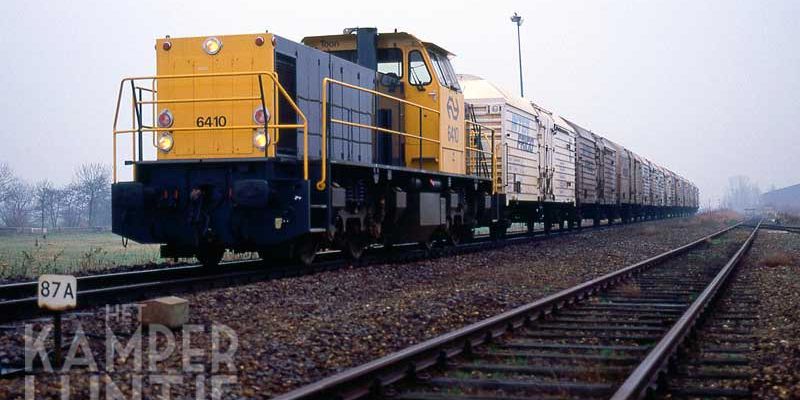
272 76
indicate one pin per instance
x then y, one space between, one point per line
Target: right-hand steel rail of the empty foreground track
643 378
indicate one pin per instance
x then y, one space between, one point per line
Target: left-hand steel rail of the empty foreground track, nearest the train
369 379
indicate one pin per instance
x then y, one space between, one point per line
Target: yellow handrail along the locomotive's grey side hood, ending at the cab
324 129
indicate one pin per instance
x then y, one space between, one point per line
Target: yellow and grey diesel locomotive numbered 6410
264 144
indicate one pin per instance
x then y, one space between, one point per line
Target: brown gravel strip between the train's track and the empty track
297 330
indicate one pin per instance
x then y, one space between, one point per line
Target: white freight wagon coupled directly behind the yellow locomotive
535 156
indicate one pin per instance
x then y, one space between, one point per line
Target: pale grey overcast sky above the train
709 89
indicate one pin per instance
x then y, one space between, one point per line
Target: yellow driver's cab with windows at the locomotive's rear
421 73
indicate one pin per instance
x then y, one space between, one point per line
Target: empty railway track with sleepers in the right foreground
611 337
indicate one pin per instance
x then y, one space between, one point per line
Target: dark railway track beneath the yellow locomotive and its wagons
18 300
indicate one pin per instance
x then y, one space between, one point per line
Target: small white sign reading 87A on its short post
57 293
